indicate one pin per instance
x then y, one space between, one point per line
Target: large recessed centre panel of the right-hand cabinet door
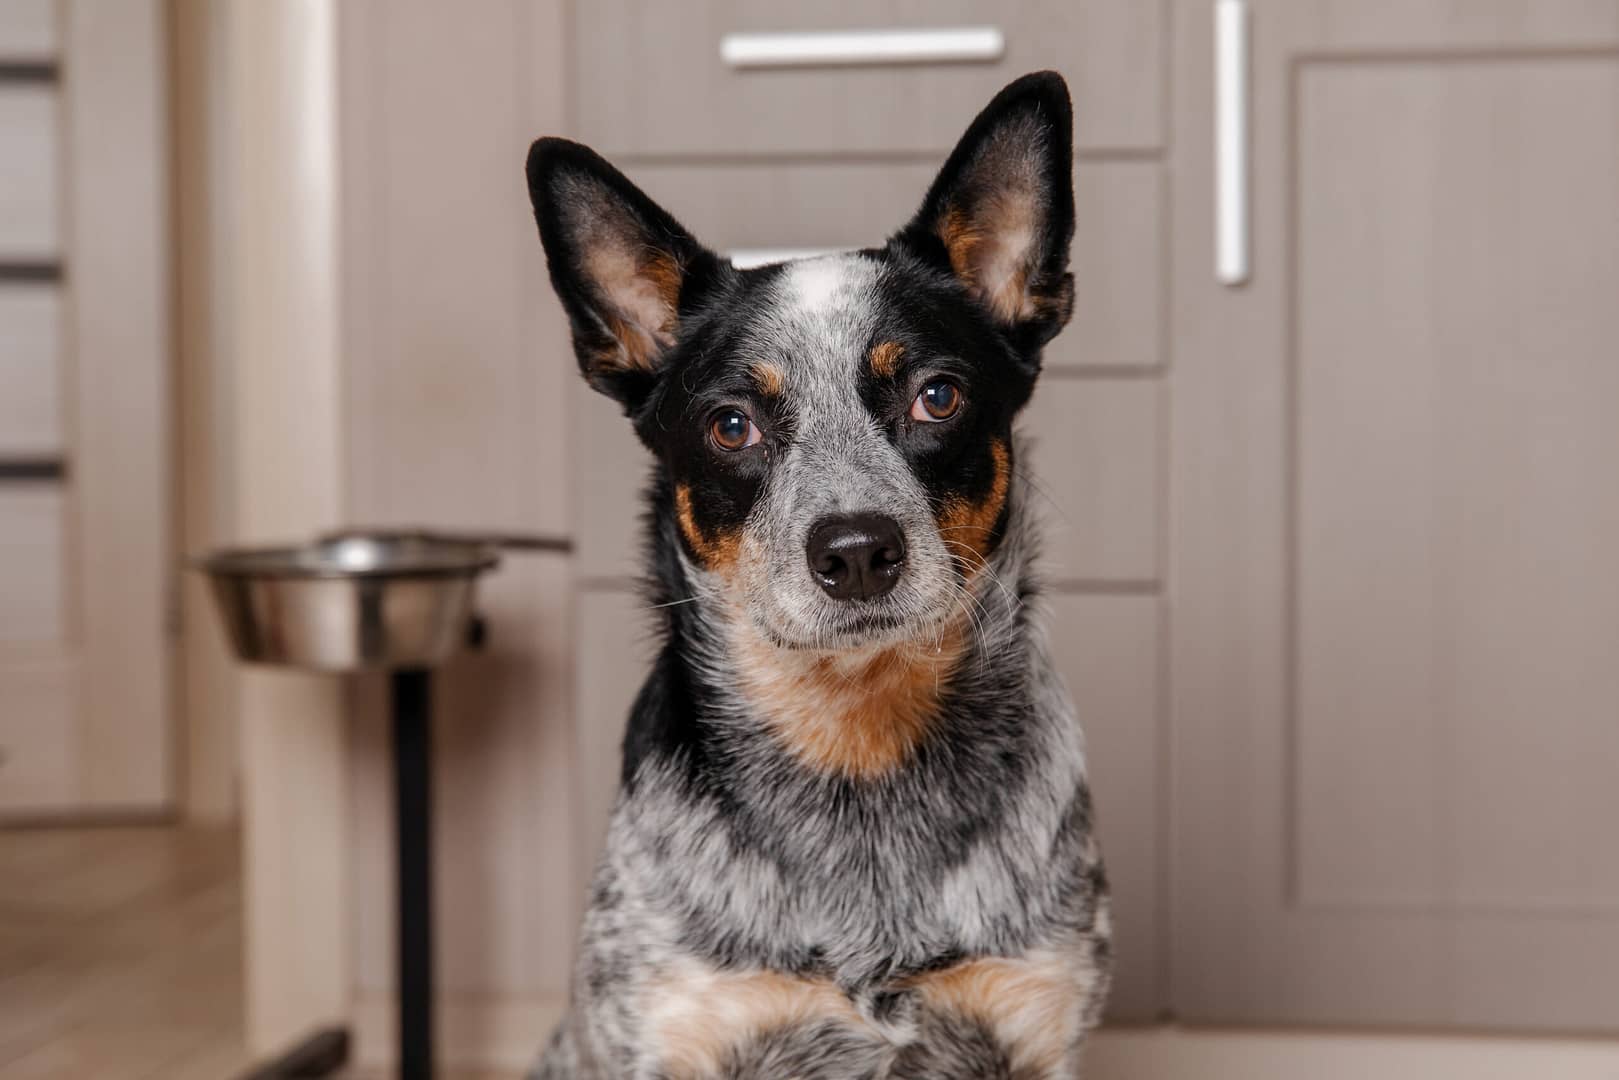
1455 538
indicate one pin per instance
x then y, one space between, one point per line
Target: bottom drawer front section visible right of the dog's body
1108 652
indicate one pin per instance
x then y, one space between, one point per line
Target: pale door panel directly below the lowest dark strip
32 564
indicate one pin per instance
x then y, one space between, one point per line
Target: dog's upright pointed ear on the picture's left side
623 266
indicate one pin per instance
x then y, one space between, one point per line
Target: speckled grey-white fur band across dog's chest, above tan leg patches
851 898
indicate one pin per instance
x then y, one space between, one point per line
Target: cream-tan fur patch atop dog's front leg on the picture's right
1034 1005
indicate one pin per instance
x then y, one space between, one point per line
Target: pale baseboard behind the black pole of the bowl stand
475 1031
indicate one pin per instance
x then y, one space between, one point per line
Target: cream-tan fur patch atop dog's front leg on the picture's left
697 1014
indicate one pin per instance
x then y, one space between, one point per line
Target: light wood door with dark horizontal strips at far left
85 559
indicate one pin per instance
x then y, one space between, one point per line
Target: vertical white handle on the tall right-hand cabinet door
1231 142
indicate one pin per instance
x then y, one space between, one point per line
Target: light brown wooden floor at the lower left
121 956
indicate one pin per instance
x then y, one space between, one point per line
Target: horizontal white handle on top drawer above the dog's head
864 48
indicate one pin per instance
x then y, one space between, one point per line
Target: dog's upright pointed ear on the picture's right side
1001 213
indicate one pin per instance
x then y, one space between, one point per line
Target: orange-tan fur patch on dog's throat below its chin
856 716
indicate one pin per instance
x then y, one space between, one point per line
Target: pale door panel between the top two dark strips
28 197
